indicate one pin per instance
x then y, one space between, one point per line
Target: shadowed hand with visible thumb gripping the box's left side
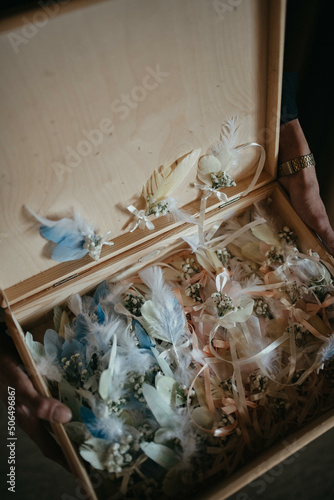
32 410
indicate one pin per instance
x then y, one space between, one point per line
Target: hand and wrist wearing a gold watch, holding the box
303 187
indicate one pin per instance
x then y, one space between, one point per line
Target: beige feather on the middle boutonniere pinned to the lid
164 180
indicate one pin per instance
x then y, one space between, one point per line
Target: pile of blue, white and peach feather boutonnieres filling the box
195 363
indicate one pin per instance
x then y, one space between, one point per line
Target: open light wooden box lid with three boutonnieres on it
97 95
